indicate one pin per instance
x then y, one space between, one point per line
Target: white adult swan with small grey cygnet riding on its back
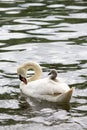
51 88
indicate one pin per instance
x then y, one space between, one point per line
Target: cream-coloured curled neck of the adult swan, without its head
35 67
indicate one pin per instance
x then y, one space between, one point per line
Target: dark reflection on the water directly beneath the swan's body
37 105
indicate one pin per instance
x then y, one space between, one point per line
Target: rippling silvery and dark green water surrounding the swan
53 33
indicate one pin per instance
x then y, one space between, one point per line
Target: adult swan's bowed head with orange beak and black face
22 74
